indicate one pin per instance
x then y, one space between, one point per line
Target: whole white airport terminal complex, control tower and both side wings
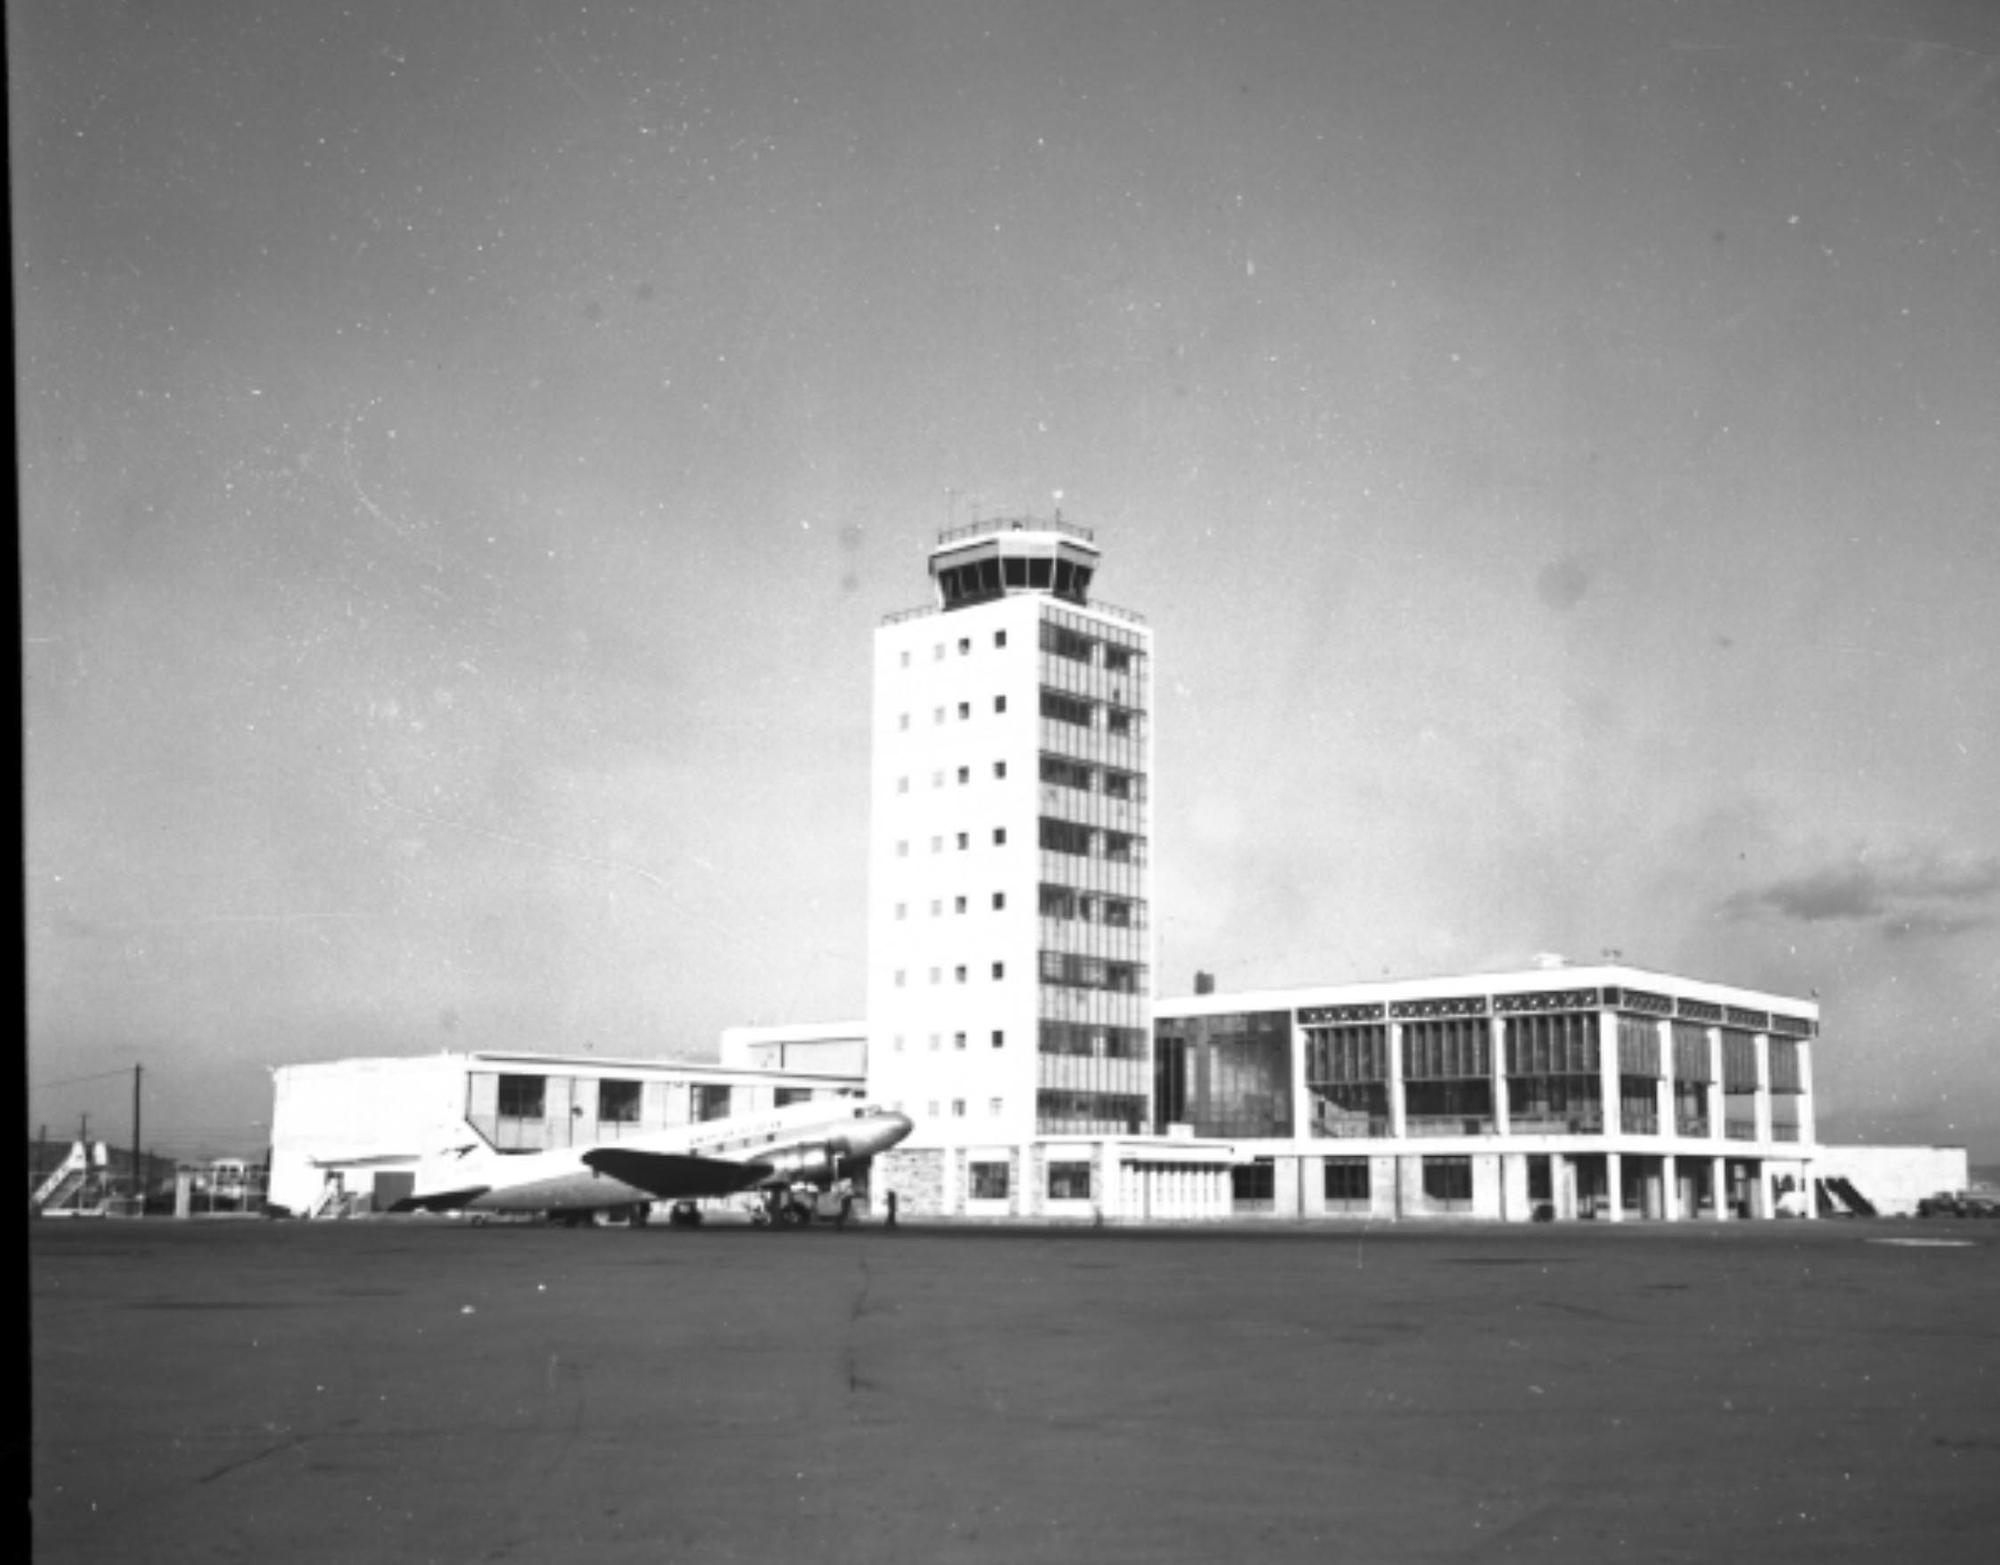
1013 1014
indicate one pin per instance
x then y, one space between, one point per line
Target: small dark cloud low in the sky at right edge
1905 896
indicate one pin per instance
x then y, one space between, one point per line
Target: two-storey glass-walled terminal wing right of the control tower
1547 1094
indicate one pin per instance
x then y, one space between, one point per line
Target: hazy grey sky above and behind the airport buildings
465 453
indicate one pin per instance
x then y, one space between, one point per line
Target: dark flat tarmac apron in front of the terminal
1421 1392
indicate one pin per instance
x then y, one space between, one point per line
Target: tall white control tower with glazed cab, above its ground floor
1009 892
